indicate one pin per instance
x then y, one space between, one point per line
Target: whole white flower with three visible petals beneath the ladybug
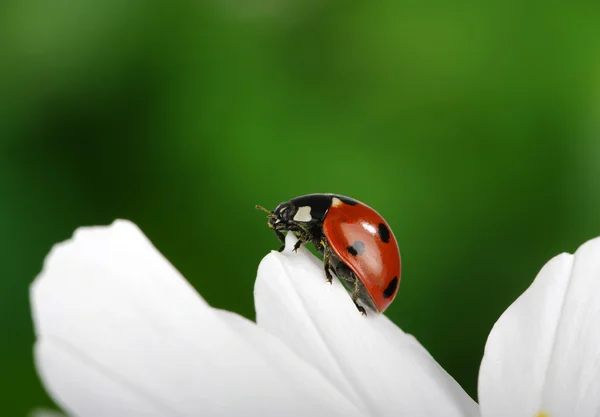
121 333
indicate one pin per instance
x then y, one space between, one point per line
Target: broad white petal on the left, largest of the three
121 333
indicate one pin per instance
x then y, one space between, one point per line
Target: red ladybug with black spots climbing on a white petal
355 241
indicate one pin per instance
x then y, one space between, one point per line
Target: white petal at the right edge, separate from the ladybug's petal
543 354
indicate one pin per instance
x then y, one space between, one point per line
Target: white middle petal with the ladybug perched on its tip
378 367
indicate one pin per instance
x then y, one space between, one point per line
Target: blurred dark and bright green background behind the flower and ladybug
472 128
